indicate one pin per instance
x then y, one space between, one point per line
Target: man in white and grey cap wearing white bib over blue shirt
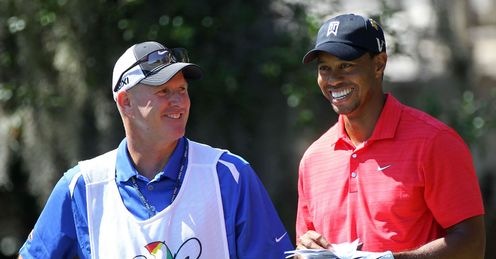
158 194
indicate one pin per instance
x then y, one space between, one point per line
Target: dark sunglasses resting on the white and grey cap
154 61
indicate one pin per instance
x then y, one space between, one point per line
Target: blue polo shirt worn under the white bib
253 227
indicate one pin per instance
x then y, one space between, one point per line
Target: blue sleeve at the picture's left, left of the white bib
53 235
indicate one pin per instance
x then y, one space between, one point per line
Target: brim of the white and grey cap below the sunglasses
190 71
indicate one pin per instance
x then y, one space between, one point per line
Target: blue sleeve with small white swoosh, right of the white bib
254 229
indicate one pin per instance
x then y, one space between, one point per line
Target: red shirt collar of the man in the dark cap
386 124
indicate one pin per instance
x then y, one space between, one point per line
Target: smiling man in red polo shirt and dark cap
387 174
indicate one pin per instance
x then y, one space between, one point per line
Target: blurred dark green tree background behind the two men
256 99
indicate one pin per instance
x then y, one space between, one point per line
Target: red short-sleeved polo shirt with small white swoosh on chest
400 189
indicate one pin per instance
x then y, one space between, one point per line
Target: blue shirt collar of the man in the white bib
125 167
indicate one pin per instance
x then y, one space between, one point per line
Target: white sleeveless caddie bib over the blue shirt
193 225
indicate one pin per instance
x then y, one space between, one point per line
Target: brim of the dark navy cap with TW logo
341 50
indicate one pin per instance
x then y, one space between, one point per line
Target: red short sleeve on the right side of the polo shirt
451 186
